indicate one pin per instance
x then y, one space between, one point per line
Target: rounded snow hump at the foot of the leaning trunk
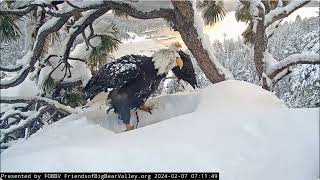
237 95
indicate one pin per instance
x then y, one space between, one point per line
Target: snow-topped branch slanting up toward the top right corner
282 12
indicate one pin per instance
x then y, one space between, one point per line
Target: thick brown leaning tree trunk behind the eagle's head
184 23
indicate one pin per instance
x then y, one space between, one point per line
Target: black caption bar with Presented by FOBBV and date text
103 176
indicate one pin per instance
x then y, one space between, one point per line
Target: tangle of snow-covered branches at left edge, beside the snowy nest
22 116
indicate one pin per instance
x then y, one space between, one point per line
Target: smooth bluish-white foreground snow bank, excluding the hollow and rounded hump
238 145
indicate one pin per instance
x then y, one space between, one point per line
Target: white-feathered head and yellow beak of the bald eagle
166 59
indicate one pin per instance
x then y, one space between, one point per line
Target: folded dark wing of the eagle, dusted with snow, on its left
113 76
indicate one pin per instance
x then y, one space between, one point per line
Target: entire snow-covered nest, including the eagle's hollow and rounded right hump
233 127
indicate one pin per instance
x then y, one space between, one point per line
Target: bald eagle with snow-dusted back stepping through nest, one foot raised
131 79
